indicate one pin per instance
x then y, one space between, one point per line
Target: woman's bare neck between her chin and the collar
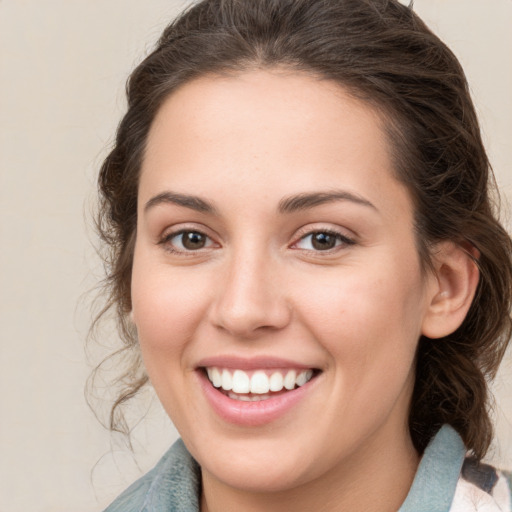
375 479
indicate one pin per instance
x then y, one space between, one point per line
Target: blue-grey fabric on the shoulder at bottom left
173 484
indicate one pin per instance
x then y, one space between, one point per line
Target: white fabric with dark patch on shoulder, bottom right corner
482 488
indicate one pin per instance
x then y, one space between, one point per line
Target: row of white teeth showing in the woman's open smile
258 385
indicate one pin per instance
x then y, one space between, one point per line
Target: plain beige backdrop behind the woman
63 64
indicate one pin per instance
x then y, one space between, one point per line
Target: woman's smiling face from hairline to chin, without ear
277 289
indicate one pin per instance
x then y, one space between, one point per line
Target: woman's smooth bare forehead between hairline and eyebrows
267 130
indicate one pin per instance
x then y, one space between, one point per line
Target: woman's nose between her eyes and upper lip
250 300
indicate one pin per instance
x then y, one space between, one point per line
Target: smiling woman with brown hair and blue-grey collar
306 264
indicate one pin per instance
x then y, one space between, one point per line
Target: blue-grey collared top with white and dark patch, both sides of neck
446 481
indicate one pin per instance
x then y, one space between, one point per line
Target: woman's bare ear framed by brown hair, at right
454 285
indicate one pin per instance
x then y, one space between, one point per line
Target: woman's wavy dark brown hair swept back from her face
384 54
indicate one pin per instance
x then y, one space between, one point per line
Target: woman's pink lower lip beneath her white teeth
251 414
